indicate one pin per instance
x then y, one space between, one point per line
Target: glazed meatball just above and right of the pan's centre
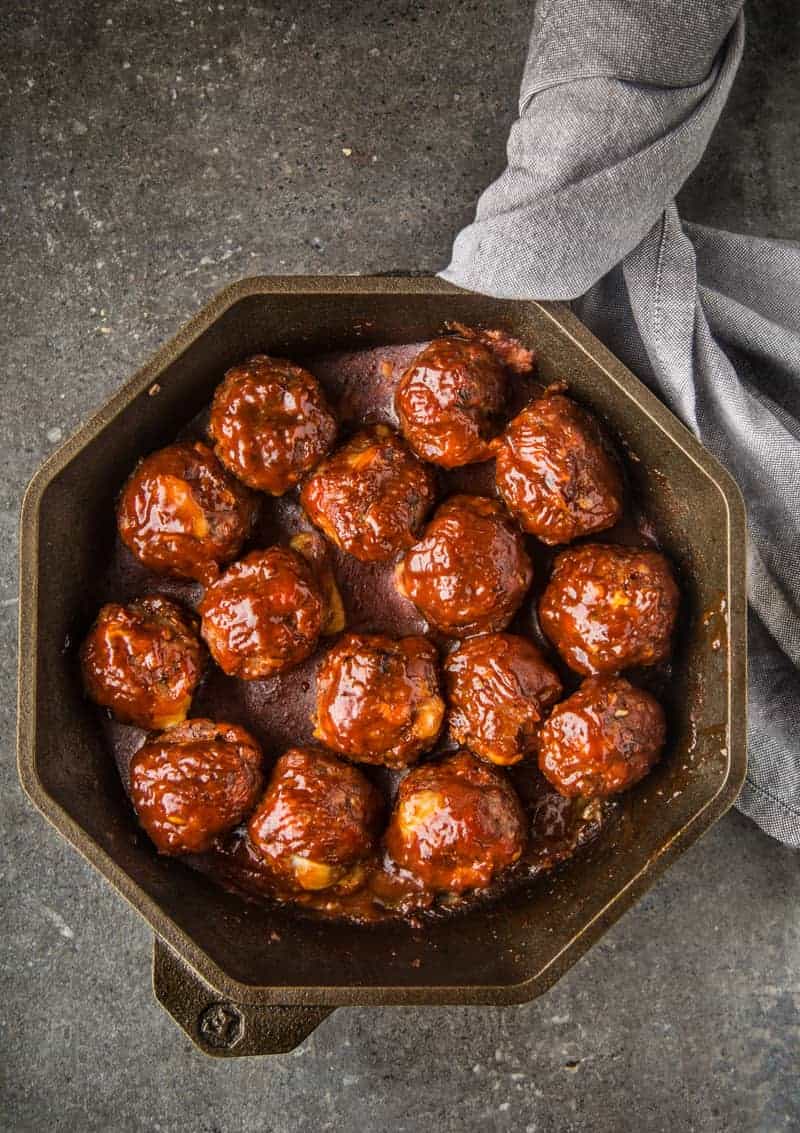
470 573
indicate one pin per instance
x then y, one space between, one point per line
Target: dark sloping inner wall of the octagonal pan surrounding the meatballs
492 948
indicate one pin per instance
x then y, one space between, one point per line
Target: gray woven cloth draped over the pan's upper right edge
619 99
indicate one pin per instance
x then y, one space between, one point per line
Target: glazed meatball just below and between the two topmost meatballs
371 497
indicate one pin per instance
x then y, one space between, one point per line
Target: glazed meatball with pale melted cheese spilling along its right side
263 616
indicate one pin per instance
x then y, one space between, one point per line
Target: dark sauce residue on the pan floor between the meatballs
279 711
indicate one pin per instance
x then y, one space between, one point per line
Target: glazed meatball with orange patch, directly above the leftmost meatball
182 514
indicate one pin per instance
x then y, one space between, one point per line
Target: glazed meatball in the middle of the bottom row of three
318 822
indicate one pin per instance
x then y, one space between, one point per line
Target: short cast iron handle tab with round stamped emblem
219 1027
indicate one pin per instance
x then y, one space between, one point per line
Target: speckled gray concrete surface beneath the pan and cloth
155 150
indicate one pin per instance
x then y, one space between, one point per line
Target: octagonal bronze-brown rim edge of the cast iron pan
343 995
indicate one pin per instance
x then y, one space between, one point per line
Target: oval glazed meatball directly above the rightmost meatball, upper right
556 472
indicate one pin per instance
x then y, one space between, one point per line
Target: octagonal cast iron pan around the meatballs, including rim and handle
215 968
